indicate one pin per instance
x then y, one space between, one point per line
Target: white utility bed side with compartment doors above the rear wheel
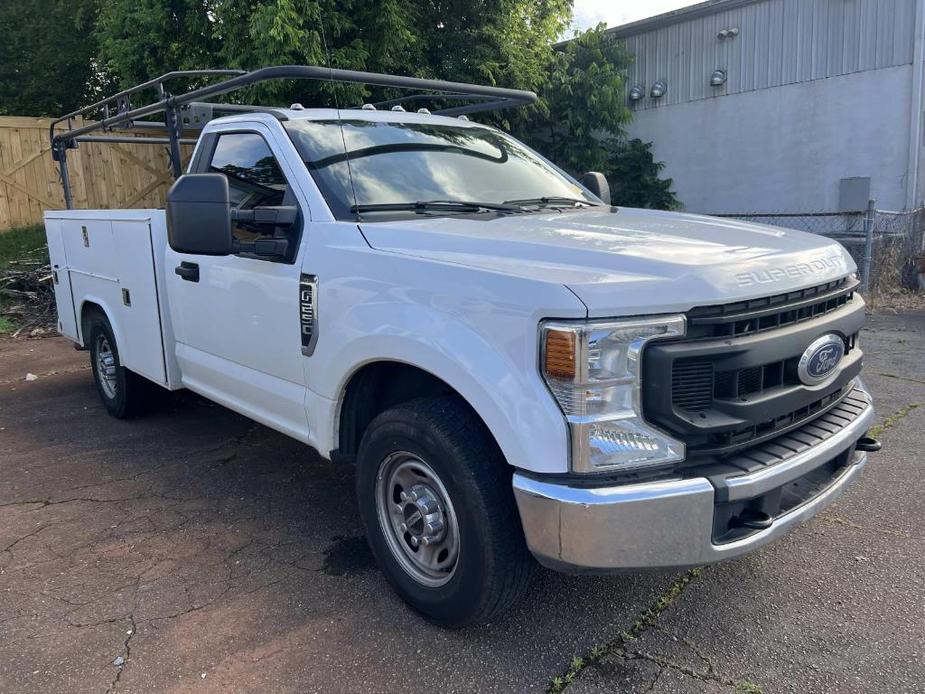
114 259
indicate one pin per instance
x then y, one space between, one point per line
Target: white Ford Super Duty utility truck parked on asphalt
517 369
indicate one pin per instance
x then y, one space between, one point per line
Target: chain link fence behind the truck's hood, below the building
888 247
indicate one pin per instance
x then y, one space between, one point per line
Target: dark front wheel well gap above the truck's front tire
375 388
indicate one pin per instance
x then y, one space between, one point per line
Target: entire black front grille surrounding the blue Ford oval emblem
734 379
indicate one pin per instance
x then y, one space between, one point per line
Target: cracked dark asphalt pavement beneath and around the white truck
193 550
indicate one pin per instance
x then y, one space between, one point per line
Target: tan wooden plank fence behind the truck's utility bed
103 175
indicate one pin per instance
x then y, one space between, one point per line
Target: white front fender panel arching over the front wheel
478 333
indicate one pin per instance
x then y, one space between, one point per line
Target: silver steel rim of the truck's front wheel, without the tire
417 518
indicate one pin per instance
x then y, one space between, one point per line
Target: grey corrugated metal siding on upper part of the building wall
779 42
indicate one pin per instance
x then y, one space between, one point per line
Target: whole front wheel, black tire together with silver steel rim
436 500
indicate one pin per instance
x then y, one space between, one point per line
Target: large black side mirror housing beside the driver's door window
198 215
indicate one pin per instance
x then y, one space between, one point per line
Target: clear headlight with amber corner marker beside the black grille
592 370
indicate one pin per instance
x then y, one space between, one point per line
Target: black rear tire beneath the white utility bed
124 394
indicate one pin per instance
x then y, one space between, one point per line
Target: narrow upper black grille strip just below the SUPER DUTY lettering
769 313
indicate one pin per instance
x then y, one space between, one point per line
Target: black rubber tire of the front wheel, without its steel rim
494 566
